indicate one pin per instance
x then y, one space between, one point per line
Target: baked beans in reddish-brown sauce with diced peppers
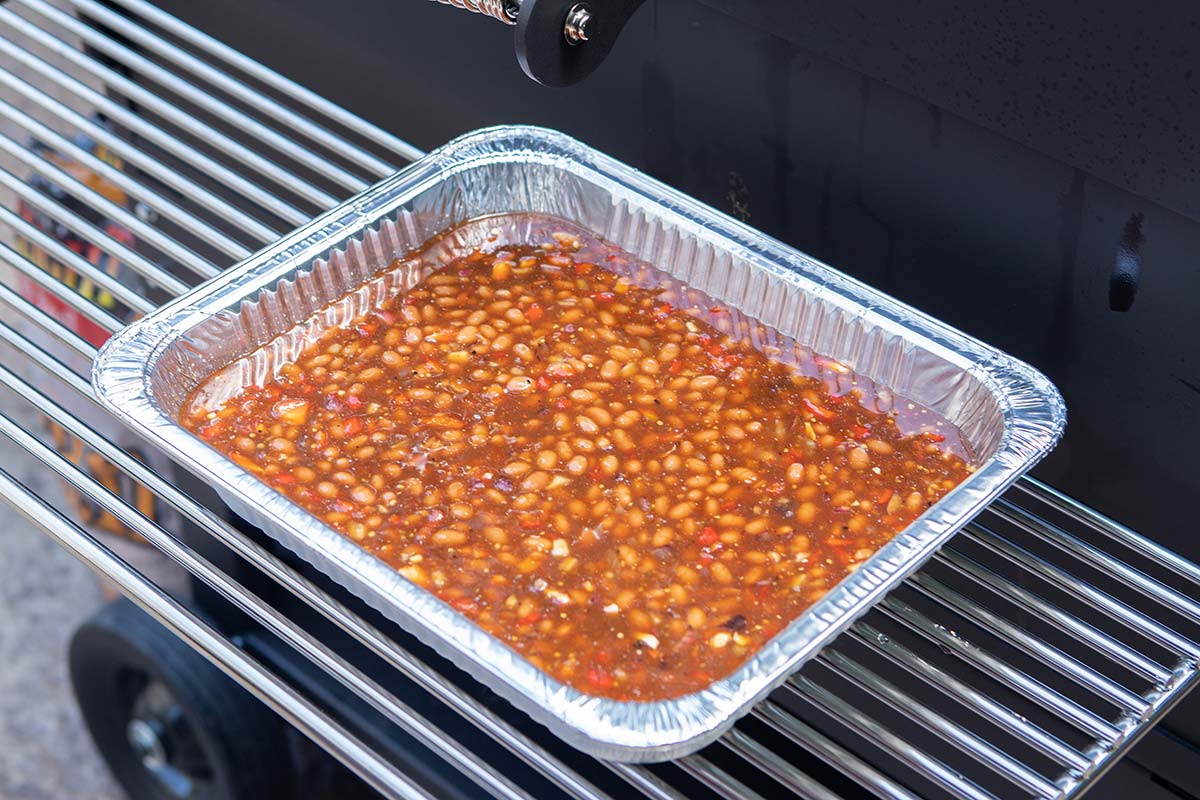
626 496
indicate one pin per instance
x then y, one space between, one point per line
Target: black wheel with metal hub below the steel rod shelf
169 724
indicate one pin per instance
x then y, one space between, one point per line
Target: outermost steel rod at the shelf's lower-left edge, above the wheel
217 648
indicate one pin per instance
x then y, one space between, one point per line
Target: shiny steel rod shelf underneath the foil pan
1023 661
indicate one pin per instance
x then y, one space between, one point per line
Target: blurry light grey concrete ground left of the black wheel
45 751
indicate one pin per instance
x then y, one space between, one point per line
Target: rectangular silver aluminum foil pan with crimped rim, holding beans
1009 413
